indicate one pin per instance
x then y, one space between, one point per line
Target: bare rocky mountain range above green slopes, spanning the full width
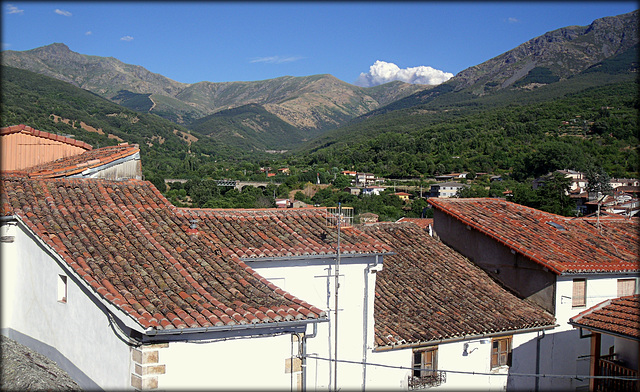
286 112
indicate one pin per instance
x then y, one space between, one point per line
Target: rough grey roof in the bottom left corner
26 370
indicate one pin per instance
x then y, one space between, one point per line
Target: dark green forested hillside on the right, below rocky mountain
598 124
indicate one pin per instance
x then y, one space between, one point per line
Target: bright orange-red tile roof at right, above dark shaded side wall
564 245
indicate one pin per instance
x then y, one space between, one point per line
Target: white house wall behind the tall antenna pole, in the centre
312 280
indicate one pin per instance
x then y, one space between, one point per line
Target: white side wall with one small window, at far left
76 334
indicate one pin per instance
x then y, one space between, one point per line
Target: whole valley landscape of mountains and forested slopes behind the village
509 117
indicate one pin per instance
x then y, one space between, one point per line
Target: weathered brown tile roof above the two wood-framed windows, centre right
428 292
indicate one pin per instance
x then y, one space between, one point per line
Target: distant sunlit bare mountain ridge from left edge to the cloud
313 102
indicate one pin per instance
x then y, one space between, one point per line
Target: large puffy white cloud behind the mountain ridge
382 72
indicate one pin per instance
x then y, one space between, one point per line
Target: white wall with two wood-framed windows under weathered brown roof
451 359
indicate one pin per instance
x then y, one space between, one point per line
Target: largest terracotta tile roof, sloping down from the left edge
134 249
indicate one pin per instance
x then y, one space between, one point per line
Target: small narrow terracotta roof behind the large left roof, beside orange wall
70 166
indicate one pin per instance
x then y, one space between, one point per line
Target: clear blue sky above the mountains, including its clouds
247 41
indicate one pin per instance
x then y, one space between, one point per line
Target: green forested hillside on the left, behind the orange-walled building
36 100
